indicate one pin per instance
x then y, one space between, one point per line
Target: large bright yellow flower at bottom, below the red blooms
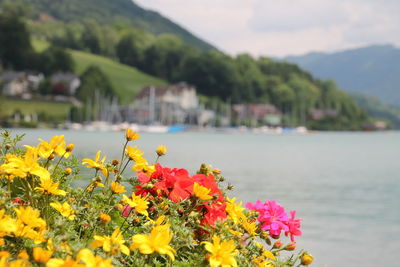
157 241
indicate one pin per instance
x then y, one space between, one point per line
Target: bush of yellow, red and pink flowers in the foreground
131 213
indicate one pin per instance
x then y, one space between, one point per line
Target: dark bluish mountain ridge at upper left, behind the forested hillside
114 11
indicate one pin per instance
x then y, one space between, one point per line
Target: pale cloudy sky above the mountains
285 27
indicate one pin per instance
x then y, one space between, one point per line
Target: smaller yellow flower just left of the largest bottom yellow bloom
112 244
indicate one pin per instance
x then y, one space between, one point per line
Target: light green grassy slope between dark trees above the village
126 80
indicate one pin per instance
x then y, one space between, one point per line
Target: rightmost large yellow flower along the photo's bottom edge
222 253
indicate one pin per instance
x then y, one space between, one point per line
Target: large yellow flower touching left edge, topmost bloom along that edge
23 166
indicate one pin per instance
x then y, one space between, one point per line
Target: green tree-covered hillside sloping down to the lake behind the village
238 80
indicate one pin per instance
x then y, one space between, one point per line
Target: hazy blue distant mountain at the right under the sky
372 70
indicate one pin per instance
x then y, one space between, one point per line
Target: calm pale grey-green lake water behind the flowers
345 186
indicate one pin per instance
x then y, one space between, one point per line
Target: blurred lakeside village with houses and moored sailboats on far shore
154 106
